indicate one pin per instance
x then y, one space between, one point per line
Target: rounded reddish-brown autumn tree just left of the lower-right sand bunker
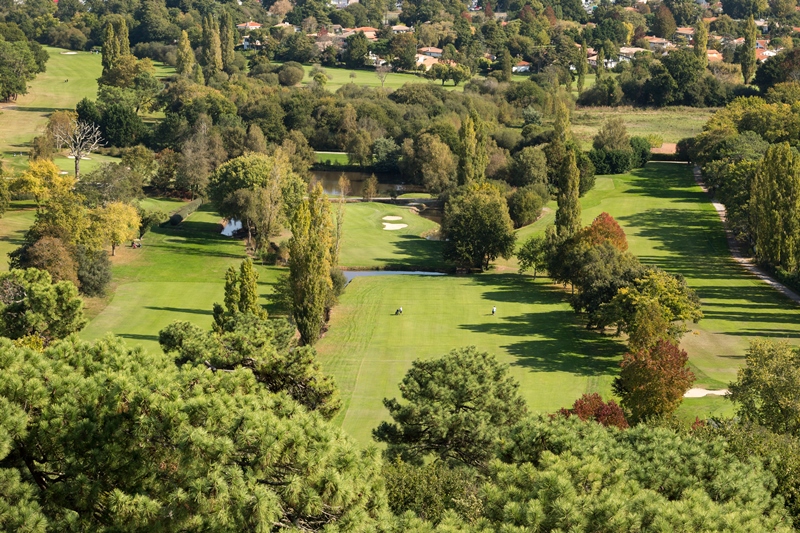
653 381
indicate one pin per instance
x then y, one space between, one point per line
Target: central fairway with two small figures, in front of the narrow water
368 349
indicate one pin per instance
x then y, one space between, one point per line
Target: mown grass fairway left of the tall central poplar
178 274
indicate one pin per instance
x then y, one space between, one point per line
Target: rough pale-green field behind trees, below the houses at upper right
671 123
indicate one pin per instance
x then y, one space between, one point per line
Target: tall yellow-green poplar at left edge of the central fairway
310 264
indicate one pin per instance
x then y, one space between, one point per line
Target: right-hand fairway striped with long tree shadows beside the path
670 223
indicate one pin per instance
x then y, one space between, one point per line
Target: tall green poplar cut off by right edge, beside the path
775 208
